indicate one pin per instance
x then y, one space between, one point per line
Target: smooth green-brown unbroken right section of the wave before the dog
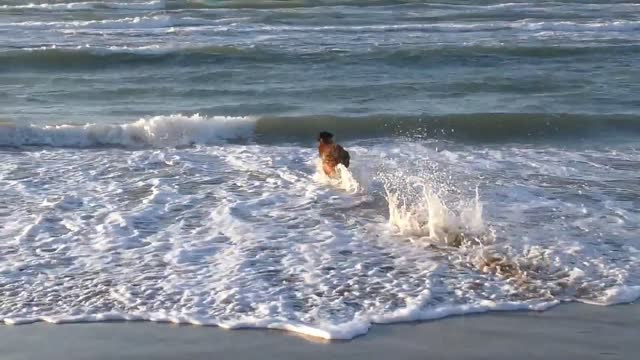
495 127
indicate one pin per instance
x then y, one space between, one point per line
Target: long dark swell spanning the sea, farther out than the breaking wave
49 57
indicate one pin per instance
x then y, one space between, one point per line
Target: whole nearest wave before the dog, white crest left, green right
180 130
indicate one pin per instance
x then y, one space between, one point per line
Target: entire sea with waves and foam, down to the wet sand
158 161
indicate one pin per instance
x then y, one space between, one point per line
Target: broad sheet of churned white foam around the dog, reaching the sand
247 236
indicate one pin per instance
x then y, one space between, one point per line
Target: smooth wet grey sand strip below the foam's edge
571 331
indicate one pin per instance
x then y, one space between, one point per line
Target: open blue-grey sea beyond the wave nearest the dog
112 61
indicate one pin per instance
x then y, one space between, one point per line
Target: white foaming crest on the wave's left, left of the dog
157 131
